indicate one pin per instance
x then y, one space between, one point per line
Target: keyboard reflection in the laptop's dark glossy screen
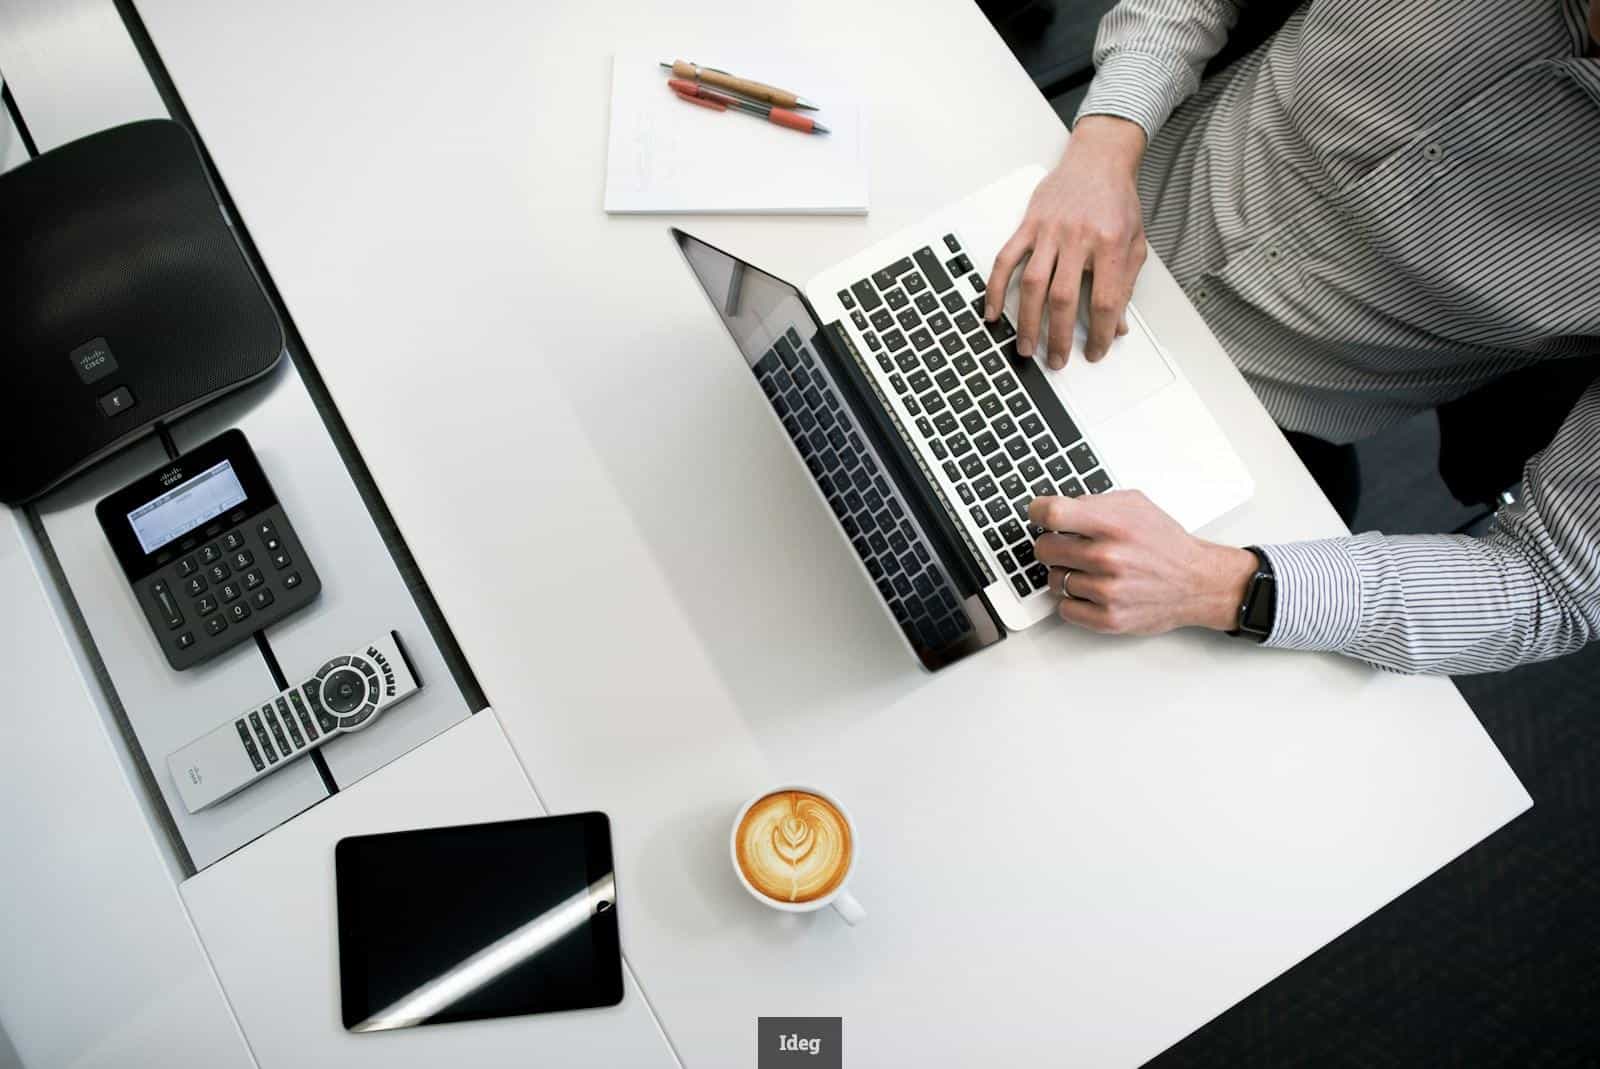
866 502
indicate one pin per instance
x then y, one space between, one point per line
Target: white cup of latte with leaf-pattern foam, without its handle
794 847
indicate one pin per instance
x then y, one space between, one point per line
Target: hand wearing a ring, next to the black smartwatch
1134 569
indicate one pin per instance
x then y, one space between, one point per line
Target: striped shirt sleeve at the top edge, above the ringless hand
1150 57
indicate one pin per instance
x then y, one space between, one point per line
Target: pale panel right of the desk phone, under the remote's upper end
362 591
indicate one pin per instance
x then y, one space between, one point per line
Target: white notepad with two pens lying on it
673 156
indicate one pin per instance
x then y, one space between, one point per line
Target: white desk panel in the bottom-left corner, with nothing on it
86 883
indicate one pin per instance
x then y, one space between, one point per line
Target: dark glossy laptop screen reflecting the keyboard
850 452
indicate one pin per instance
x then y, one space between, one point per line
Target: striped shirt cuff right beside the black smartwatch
1319 596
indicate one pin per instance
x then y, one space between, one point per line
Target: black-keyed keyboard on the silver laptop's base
961 382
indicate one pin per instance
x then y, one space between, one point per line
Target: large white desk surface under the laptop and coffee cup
1074 851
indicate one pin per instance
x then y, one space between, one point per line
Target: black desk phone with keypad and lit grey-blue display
209 551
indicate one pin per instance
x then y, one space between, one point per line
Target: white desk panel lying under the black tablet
270 919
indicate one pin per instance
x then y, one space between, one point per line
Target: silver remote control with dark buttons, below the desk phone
343 697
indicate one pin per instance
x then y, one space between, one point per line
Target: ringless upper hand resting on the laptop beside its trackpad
1084 218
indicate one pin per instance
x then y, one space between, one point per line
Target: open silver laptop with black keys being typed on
927 434
